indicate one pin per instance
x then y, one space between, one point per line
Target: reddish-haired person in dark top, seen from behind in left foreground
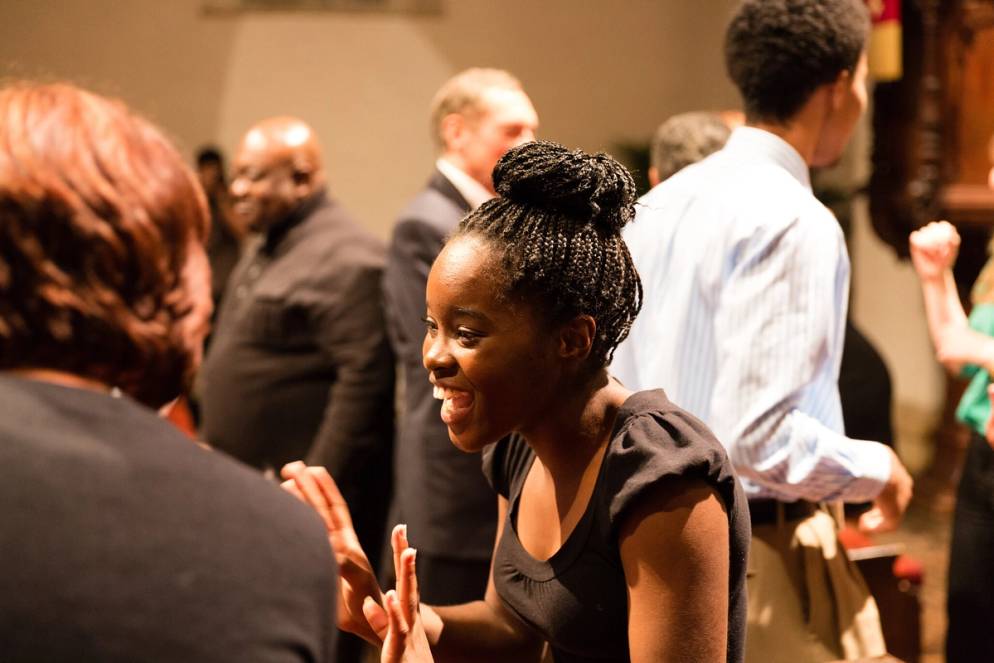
120 540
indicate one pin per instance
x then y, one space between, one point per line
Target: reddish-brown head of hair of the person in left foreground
100 220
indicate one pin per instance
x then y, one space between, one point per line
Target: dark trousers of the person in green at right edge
970 602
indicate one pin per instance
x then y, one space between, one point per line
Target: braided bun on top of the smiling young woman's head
586 187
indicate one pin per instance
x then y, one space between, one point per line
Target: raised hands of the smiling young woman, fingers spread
390 620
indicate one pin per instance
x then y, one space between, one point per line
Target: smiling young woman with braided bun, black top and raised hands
623 532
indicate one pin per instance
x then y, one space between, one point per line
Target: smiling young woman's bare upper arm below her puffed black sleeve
675 553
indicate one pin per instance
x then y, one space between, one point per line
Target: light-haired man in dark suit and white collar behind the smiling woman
440 492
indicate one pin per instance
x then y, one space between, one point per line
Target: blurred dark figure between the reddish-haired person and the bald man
225 239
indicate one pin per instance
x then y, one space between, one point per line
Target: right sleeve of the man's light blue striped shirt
777 321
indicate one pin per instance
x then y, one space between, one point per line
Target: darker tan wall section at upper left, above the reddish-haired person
161 57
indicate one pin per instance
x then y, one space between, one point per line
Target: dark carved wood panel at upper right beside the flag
933 127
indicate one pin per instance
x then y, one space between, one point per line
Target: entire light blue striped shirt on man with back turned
746 280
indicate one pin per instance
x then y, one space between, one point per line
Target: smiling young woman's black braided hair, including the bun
557 225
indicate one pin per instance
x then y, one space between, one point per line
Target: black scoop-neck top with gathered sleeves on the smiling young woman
577 599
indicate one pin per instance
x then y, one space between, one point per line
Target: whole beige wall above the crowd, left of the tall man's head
598 71
